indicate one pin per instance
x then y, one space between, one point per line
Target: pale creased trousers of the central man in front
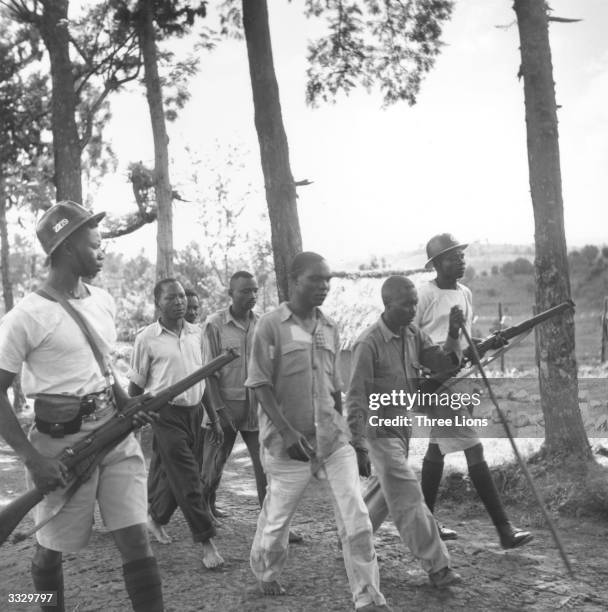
287 481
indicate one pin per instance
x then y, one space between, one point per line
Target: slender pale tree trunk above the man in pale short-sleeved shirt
162 183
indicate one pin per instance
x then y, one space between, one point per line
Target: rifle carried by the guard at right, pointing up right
437 380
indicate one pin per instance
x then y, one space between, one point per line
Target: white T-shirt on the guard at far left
56 357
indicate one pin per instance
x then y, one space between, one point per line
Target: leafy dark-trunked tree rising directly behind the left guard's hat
90 58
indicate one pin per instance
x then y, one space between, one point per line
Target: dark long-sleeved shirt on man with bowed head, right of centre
384 361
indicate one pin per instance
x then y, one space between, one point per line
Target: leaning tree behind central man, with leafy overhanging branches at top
389 44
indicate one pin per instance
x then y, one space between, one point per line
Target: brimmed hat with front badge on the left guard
61 221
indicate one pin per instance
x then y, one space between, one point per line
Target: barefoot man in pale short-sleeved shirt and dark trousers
165 352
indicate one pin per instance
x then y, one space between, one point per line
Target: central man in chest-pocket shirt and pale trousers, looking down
295 374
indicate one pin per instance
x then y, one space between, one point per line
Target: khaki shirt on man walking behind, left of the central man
223 331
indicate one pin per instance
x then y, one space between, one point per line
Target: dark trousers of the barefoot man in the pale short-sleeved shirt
173 478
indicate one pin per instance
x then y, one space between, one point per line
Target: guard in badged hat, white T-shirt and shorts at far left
57 358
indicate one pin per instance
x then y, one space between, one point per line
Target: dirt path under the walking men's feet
531 579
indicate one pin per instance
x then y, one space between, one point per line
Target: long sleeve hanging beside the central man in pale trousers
357 401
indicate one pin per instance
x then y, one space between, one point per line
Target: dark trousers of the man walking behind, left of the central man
215 457
